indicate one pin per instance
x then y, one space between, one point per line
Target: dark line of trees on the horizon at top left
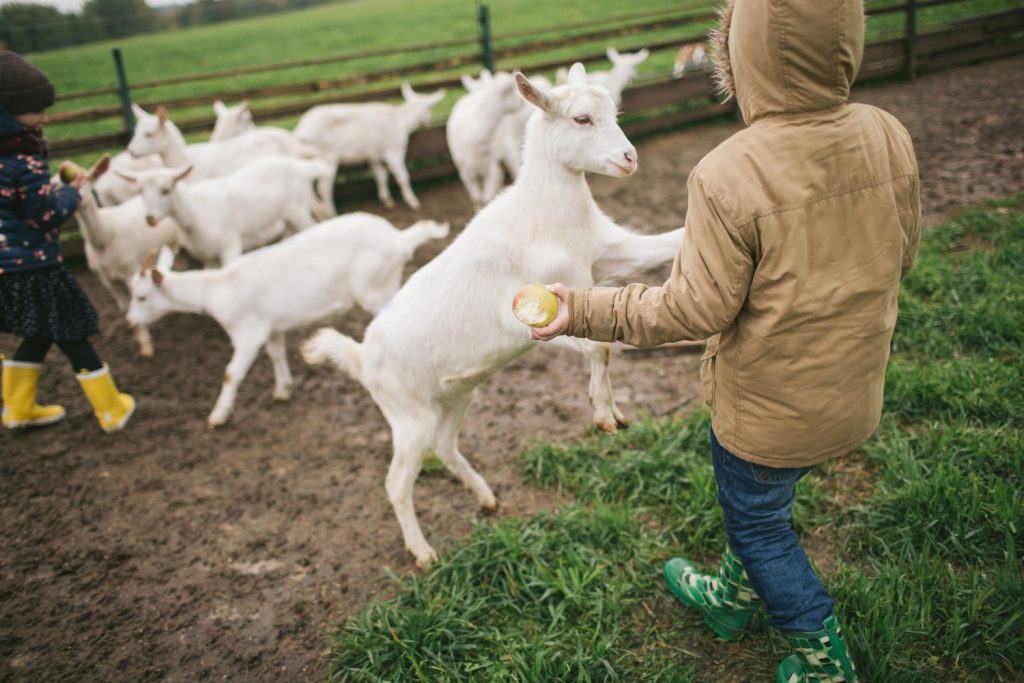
27 27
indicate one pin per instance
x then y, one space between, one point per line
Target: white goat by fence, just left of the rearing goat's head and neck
472 134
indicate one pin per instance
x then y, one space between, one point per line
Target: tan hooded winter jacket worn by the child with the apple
799 232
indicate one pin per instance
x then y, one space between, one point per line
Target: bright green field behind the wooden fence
356 26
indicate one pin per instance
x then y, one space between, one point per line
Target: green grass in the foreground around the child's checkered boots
921 531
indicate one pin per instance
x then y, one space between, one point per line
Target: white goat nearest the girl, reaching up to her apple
117 240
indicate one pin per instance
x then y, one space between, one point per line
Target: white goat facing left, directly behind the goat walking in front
220 219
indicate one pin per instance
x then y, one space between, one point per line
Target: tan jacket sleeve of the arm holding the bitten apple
710 279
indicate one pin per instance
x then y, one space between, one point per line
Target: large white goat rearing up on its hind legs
423 364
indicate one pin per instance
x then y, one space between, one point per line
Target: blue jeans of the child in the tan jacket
758 506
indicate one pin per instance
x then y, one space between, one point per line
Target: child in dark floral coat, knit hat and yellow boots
40 302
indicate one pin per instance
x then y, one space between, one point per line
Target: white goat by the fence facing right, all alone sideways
375 134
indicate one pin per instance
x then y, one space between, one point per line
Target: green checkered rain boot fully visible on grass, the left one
728 602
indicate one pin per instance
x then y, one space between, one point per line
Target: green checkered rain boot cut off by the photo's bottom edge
821 658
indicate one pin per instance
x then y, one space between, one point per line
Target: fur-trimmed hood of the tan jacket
788 57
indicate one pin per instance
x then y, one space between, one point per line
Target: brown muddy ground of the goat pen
173 553
